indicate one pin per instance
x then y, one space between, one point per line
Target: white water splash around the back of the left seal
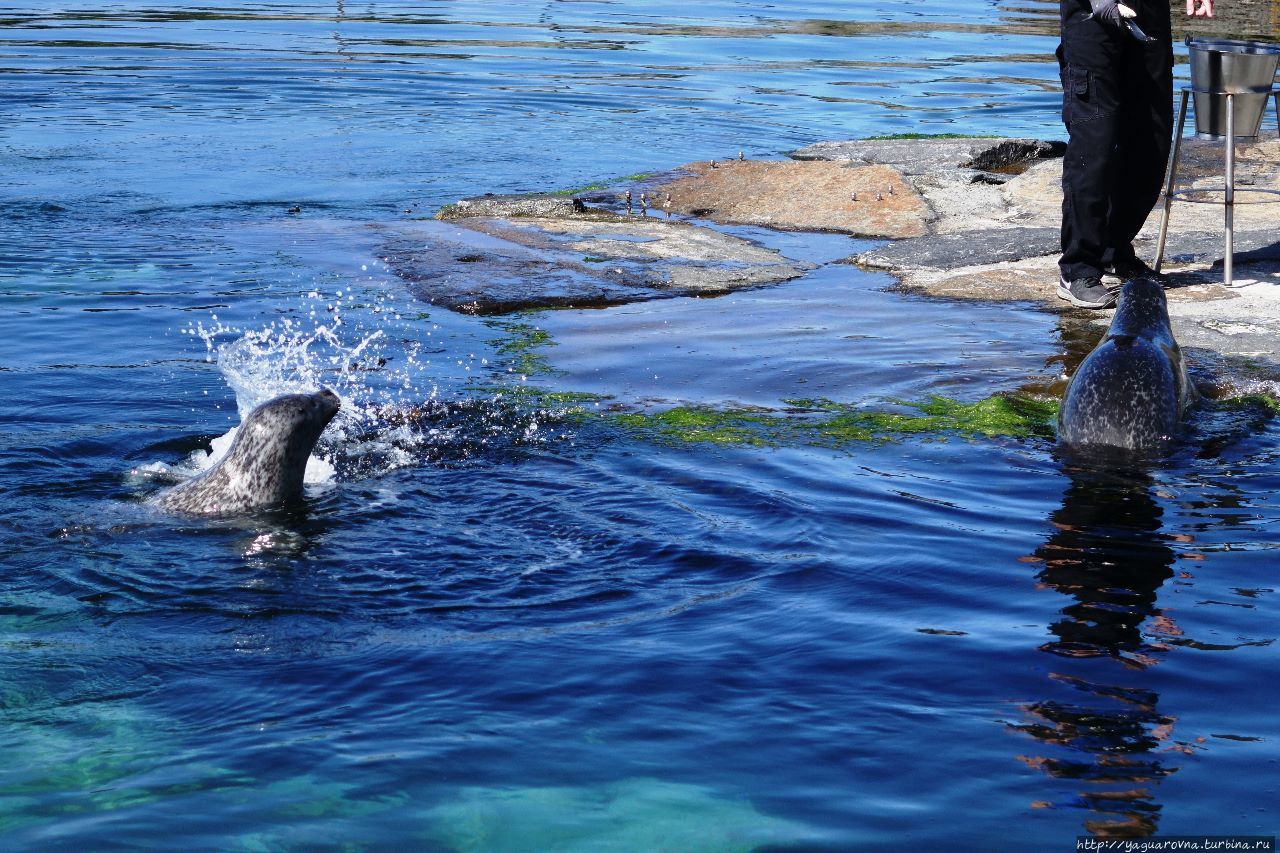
388 371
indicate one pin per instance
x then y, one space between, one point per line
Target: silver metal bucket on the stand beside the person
1246 70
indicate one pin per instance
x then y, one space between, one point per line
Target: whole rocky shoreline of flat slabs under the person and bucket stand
962 218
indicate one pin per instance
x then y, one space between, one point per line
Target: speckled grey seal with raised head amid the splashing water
266 463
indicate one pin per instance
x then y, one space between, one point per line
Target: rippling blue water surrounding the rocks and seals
506 628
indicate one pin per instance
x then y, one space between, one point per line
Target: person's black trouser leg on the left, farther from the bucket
1091 63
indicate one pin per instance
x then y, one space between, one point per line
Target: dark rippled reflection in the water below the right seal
1110 556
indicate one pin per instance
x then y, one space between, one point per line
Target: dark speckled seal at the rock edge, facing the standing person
1132 391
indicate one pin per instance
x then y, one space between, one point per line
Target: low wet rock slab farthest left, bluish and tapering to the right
479 266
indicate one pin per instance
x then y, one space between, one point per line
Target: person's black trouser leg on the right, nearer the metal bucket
1145 135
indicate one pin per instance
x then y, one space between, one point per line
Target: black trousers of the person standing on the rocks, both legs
1118 106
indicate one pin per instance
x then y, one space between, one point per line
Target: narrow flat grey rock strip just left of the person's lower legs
954 252
